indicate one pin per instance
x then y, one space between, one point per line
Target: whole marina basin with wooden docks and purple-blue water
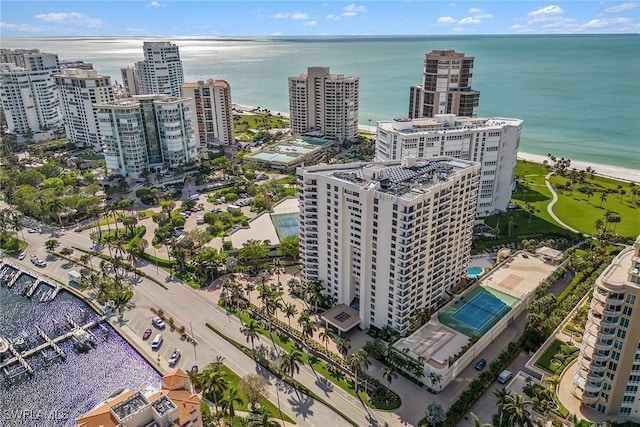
51 340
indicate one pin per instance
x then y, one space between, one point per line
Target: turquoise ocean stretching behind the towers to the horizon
579 95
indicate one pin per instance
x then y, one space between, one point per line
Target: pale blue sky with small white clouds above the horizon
26 18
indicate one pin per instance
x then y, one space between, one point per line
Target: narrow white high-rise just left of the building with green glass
79 90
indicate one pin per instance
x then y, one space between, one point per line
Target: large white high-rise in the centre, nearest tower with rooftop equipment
387 238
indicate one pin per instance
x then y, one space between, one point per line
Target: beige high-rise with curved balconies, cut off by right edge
607 376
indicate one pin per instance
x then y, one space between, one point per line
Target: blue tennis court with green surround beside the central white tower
478 311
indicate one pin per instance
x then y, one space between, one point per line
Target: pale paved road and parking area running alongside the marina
193 309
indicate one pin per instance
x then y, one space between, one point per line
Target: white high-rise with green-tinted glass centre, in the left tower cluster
147 132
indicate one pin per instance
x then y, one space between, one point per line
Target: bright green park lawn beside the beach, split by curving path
574 207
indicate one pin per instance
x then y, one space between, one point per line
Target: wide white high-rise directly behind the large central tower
491 142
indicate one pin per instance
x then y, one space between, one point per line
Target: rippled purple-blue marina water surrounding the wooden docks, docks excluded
62 390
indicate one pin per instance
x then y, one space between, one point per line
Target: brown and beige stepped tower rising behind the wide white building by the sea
445 87
